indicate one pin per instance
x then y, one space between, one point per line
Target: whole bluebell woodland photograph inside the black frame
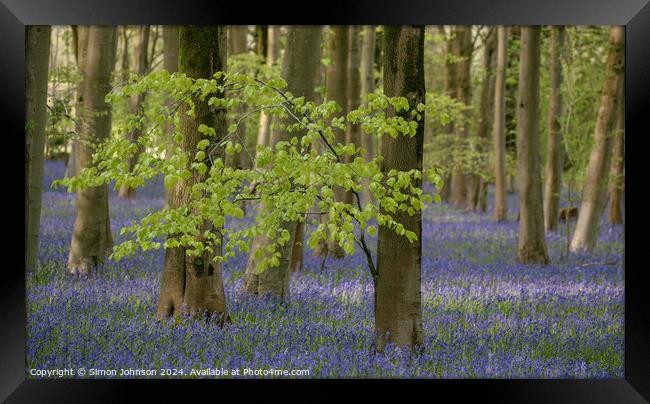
335 201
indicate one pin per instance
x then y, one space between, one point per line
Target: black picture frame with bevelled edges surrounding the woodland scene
634 14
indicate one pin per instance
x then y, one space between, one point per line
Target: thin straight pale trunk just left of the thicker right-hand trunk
499 130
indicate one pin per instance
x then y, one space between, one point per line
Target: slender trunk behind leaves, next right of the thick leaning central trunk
337 91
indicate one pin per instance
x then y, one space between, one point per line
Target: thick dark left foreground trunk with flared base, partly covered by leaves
194 285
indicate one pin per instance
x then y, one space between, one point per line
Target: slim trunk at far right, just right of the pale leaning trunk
616 180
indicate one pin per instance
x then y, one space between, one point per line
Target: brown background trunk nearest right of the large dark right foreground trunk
463 85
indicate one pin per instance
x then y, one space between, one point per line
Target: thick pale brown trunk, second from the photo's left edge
91 237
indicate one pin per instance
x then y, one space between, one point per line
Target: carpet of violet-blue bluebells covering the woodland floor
485 315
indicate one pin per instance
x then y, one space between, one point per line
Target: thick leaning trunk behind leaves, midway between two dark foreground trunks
299 71
